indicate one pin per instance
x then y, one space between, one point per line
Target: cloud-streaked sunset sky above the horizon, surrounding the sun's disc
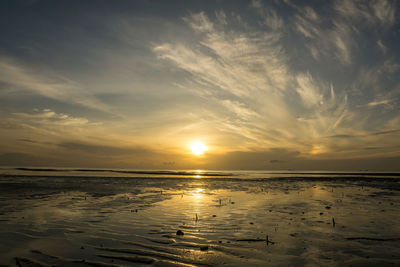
274 85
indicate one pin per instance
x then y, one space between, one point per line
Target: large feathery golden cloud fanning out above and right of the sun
239 70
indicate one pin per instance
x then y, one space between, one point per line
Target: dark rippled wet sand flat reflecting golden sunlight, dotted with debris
94 221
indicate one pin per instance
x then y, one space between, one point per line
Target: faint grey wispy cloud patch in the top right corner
339 31
